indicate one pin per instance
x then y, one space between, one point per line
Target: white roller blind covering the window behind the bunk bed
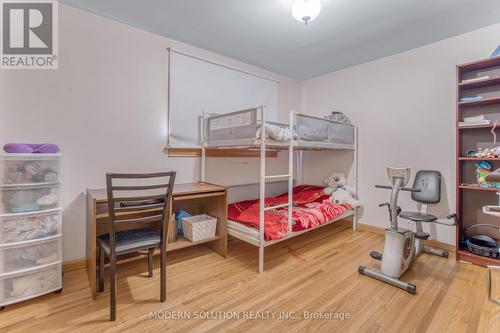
198 86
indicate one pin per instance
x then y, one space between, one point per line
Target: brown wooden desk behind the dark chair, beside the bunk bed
196 198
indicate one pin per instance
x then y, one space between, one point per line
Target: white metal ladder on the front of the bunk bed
264 177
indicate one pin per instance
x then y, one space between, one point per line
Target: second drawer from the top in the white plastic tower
21 199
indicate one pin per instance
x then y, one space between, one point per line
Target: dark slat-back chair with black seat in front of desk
136 206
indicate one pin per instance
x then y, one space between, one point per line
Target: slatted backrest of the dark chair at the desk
139 198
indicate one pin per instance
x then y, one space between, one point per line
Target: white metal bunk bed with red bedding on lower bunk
248 129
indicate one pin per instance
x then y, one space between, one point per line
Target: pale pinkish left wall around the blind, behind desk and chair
106 107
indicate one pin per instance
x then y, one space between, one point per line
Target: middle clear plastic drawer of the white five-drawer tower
29 226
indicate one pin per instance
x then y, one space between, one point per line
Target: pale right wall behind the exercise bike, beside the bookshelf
404 106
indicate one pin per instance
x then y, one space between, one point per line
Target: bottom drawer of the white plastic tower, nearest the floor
20 287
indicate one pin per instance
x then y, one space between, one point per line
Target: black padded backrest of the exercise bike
429 184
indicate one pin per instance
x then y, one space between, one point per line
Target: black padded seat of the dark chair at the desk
130 240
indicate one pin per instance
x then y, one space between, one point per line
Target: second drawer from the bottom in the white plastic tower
22 257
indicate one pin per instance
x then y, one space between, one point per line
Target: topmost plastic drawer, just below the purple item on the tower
30 168
